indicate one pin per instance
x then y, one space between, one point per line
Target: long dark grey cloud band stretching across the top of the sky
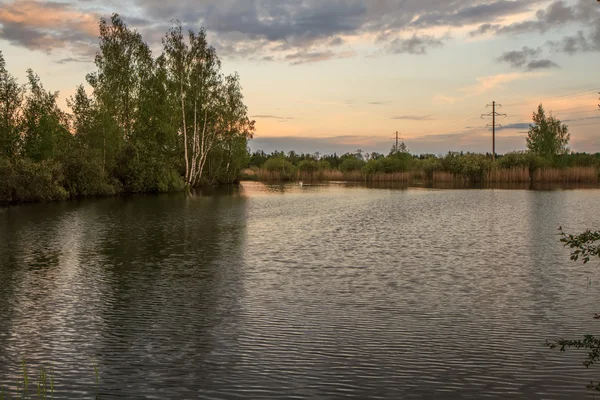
296 31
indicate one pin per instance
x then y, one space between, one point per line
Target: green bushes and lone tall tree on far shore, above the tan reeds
547 142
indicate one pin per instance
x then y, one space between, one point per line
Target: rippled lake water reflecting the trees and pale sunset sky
301 292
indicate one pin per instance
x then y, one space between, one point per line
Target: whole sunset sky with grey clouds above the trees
340 75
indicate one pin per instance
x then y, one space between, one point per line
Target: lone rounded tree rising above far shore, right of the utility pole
548 137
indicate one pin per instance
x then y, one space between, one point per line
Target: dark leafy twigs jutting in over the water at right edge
586 247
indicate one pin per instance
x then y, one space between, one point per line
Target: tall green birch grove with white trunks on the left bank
150 124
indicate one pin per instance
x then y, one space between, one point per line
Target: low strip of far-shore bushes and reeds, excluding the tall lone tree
467 166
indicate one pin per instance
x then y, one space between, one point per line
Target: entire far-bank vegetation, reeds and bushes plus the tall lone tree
547 158
